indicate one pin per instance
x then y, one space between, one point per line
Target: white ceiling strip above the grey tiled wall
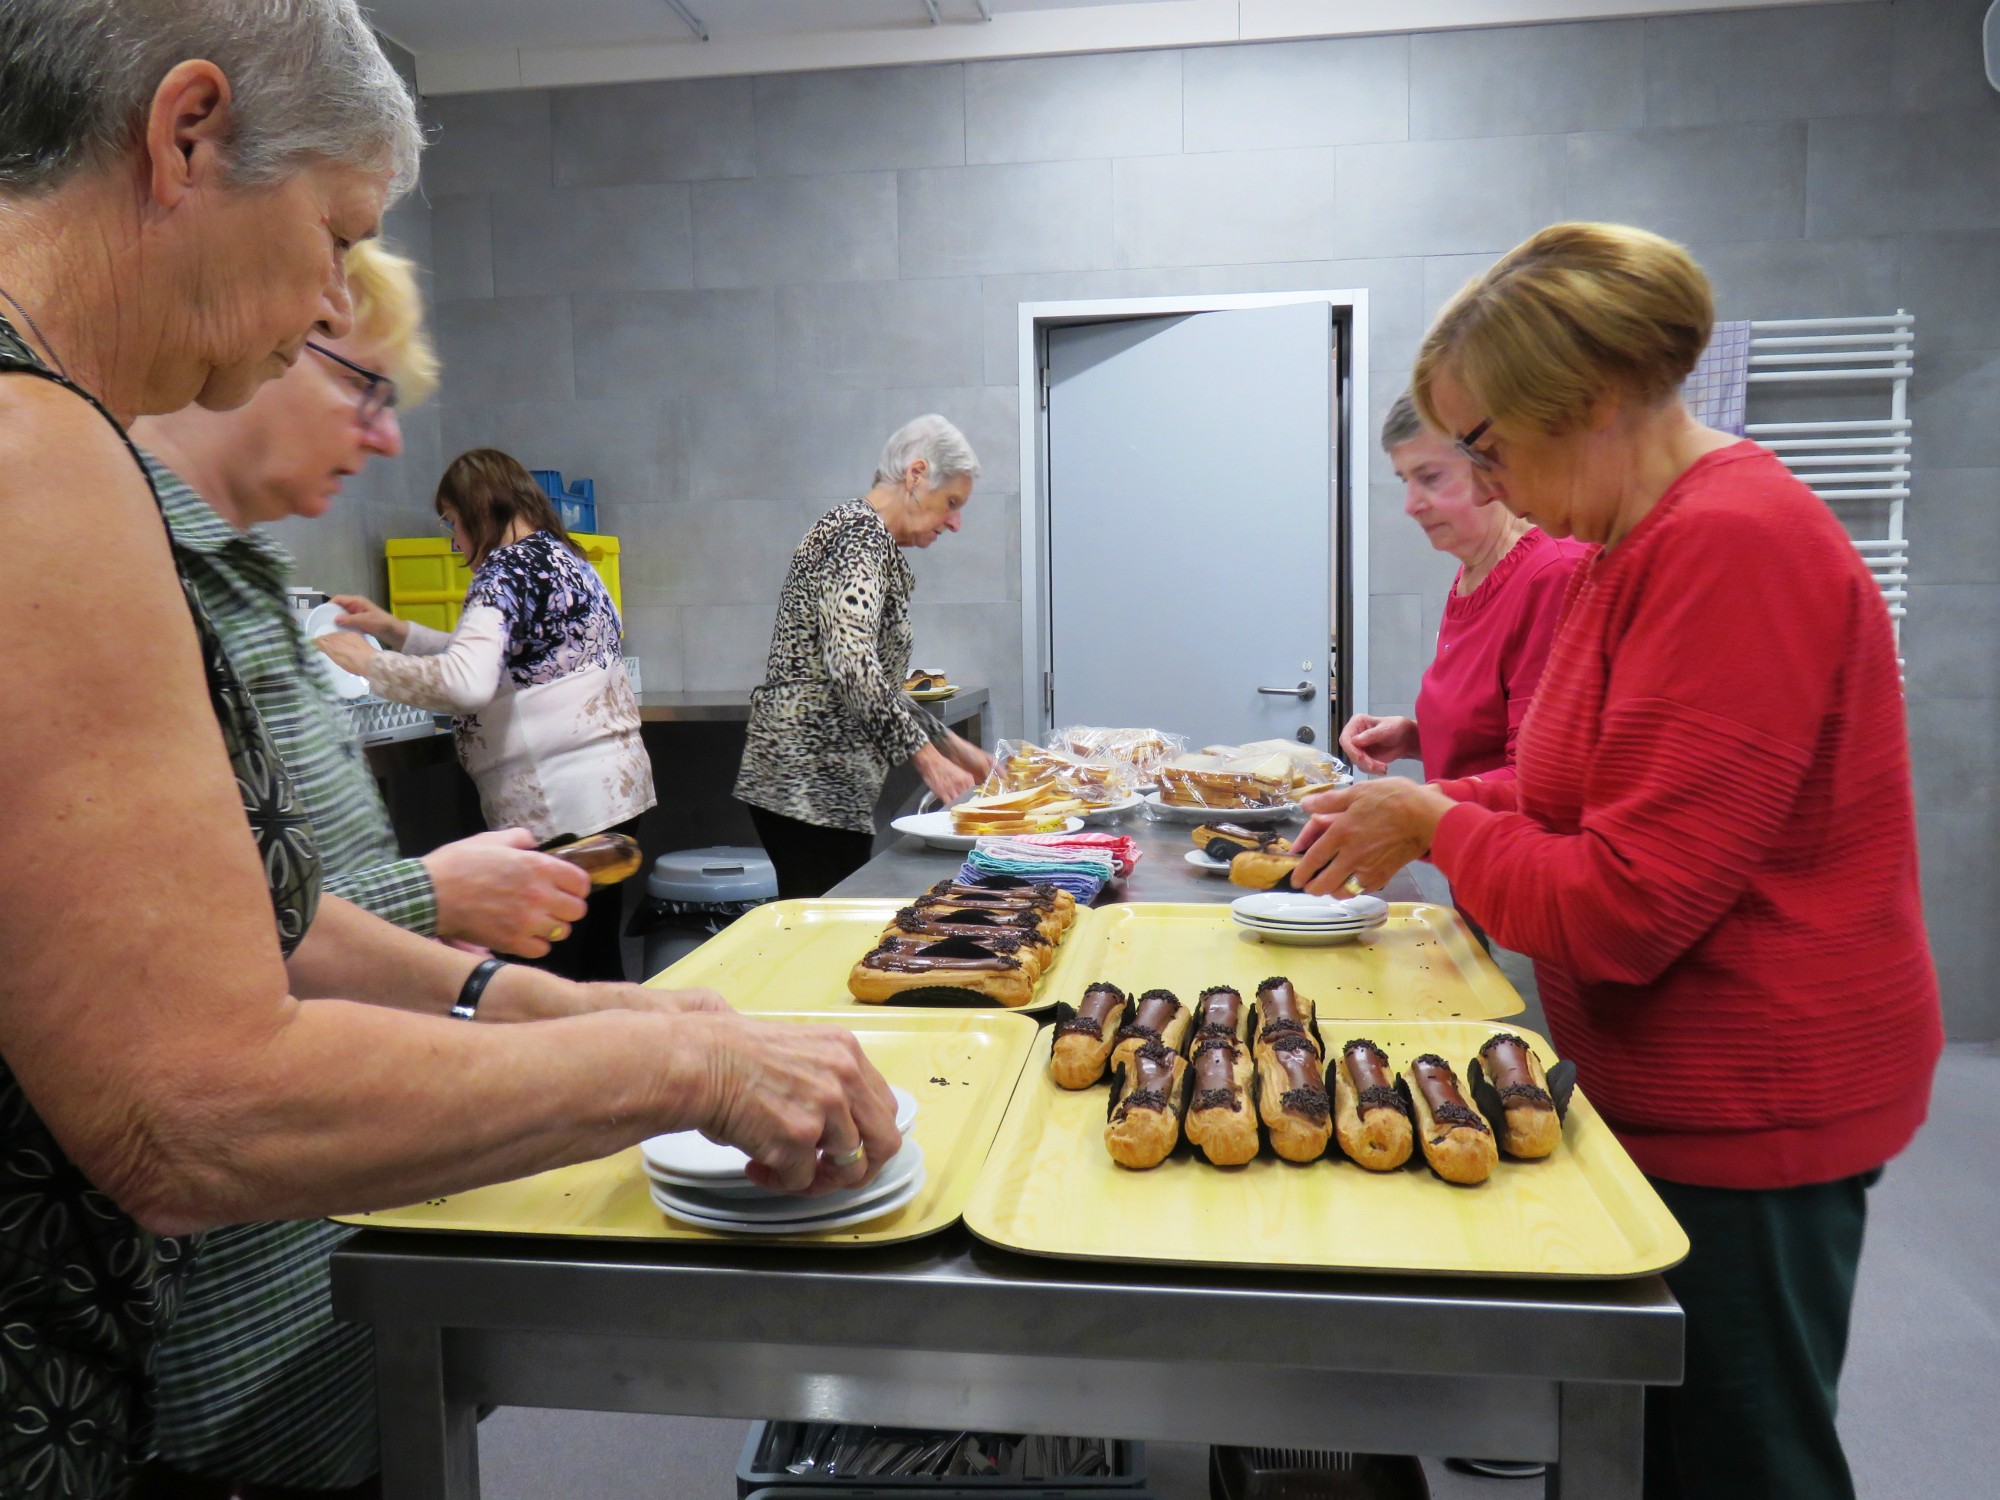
481 45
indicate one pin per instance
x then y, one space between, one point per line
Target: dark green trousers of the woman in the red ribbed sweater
1769 1285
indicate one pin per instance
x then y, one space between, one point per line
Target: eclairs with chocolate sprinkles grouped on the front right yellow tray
1267 1061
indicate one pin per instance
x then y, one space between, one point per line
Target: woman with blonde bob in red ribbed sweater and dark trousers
1711 847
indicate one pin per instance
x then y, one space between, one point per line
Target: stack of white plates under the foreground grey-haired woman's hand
701 1183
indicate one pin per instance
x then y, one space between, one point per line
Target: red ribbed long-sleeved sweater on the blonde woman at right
1711 847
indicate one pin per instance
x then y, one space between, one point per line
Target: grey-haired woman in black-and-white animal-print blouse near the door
831 717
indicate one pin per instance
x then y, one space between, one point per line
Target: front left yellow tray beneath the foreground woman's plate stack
961 1065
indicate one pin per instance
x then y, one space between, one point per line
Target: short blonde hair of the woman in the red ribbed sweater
1567 317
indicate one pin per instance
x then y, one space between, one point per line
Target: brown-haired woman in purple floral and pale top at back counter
535 673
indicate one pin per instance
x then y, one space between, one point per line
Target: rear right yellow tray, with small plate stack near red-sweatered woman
1423 965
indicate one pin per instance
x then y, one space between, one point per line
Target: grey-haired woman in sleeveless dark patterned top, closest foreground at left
193 1033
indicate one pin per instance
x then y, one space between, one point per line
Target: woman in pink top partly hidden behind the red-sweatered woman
1497 621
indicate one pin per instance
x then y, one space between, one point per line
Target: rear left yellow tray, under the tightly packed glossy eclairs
797 957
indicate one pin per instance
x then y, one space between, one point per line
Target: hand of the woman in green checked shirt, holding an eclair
499 893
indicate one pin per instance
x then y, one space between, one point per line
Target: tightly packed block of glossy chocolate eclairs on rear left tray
991 939
